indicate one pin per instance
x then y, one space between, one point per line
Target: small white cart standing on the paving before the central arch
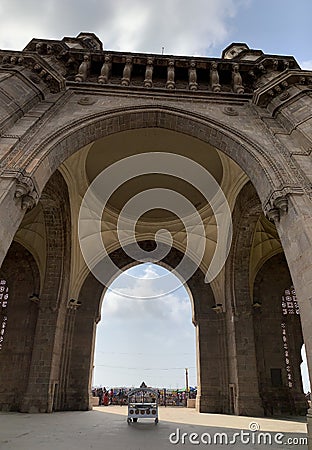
142 404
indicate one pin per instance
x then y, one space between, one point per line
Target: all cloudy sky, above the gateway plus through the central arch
157 336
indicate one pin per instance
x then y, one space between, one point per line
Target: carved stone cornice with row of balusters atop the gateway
82 60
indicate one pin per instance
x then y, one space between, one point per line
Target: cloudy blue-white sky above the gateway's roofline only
197 27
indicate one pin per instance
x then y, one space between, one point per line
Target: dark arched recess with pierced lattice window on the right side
280 394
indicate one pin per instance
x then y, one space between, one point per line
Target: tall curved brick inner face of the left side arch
41 392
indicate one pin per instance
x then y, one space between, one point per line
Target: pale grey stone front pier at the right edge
295 230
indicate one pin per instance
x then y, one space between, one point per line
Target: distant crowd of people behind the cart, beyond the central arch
119 396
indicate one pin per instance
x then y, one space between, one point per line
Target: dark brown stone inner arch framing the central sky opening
211 351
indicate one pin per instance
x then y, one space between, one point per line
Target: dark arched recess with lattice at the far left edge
21 274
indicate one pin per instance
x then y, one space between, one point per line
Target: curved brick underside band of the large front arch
50 152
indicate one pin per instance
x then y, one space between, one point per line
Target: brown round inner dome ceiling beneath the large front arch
113 148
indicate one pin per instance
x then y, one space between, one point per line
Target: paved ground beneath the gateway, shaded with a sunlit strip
106 428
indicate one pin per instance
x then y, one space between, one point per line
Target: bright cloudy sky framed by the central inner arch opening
150 340
